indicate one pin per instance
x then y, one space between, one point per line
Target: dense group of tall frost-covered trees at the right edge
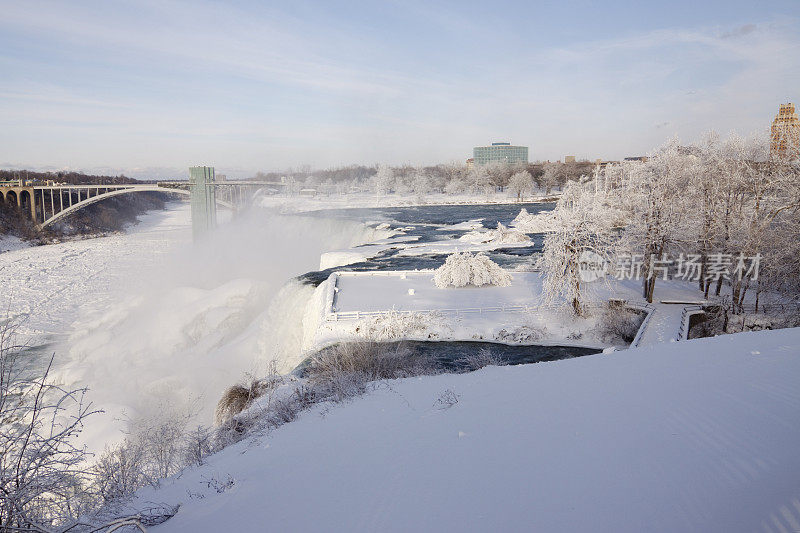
722 201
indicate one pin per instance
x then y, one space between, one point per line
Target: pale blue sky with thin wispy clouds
149 88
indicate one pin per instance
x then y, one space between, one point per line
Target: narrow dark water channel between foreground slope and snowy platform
451 356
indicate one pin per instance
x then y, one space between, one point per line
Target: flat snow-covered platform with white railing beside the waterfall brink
512 314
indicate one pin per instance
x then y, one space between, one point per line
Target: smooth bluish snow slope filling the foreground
694 436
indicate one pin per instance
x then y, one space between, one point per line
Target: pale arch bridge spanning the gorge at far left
47 204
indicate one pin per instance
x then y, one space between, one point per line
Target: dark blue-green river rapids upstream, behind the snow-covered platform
430 224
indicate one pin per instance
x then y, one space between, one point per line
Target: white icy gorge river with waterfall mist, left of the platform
153 324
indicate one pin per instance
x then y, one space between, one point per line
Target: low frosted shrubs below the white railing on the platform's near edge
396 325
